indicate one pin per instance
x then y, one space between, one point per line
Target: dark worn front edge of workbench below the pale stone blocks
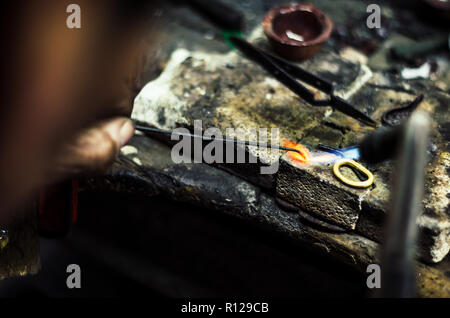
145 167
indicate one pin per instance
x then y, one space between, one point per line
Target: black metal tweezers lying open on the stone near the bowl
289 74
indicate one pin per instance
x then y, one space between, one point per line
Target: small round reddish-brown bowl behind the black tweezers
297 31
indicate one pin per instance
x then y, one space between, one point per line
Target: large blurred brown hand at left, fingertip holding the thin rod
67 93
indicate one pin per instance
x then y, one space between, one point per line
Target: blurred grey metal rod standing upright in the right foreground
398 272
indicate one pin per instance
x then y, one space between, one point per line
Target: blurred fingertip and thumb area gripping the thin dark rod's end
93 150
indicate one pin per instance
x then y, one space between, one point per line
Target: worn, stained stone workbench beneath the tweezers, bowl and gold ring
201 79
